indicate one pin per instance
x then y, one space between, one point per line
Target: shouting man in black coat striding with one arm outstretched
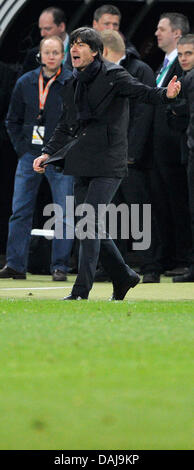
92 139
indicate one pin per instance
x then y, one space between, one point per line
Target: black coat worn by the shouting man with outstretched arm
100 146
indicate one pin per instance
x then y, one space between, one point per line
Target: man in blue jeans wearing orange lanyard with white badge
35 107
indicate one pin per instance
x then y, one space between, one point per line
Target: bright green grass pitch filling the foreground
96 375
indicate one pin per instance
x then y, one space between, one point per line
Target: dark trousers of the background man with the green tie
170 200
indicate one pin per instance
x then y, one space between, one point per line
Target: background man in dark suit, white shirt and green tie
169 181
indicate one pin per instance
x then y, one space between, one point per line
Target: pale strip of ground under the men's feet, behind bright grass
42 287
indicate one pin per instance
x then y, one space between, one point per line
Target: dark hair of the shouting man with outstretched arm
89 36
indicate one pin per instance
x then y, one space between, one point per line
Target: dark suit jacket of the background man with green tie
166 141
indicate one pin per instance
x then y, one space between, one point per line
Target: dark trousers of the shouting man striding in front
95 191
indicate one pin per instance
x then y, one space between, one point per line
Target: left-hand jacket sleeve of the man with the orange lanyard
15 116
